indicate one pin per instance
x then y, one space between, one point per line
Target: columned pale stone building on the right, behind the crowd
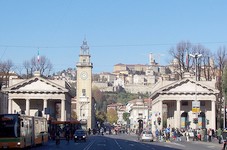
180 96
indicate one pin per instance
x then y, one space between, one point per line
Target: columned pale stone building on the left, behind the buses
38 96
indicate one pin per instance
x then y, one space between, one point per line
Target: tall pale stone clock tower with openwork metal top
84 103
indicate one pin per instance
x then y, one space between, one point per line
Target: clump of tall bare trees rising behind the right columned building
188 64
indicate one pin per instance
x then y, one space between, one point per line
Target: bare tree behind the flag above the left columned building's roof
43 65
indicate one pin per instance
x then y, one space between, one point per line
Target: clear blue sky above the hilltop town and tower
117 31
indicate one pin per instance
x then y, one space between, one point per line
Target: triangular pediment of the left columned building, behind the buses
36 84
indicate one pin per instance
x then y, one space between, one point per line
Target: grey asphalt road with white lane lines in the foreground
126 142
